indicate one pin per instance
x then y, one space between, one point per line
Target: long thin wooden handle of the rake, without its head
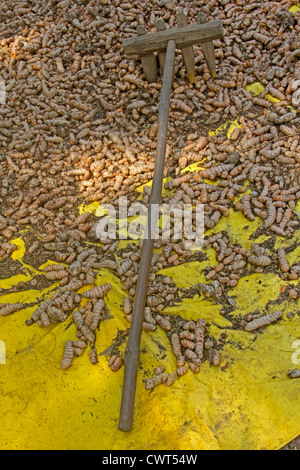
132 353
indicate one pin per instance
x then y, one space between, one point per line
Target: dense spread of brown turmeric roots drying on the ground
78 130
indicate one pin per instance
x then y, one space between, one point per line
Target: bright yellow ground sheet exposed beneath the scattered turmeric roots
246 403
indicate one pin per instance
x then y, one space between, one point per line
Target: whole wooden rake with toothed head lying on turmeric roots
164 41
